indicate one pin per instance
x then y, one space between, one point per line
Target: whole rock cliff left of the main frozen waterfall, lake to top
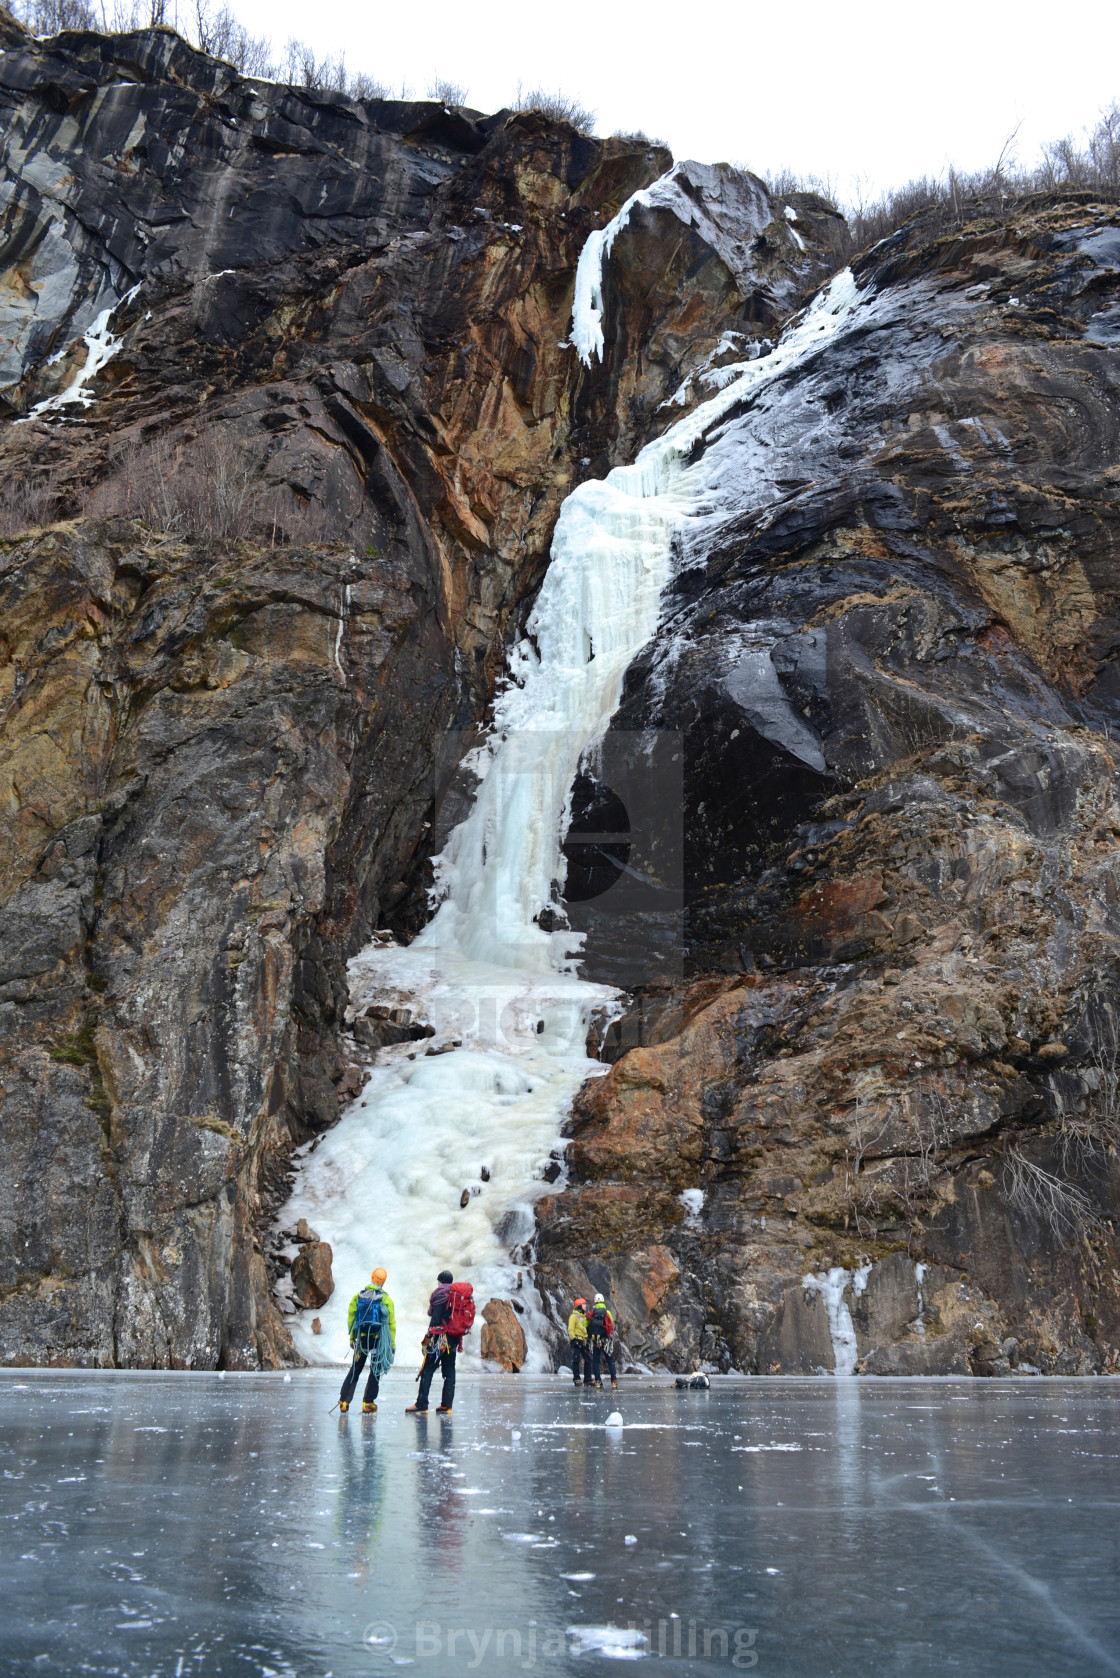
306 506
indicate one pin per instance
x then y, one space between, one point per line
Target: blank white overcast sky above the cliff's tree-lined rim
862 93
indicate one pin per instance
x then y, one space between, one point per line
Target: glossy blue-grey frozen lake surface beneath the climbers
186 1524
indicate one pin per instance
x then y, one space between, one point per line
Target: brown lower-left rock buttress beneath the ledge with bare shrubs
186 744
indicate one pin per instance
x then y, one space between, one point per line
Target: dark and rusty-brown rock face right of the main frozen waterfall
892 662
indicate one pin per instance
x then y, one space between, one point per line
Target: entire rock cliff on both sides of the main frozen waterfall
291 412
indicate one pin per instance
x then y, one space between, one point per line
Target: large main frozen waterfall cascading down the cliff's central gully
481 1120
